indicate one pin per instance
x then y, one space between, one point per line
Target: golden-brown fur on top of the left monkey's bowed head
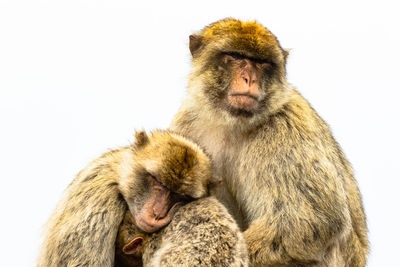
178 163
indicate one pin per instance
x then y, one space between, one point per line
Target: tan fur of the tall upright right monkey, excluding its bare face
287 182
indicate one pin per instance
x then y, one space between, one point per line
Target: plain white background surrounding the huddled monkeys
77 77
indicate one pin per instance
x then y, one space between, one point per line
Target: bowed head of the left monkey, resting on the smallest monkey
168 170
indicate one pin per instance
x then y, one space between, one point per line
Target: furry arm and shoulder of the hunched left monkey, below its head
83 228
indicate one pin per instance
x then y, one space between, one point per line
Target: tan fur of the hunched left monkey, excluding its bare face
83 228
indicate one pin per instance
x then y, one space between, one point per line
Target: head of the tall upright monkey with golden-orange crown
238 68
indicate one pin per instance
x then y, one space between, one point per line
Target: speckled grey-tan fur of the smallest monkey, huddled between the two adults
202 233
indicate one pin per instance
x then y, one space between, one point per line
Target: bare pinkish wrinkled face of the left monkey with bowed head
154 207
